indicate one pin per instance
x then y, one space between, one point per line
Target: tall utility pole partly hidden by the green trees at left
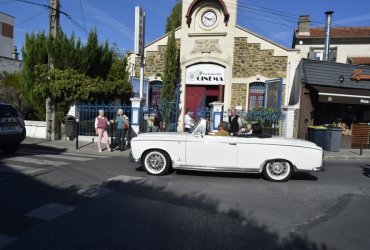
52 124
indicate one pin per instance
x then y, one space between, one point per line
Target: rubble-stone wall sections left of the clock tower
154 61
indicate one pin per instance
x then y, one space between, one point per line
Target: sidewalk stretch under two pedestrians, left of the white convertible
84 147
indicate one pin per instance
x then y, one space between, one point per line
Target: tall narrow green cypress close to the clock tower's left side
170 77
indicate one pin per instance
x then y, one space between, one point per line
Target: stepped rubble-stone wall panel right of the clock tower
250 60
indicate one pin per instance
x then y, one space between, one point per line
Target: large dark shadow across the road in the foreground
137 215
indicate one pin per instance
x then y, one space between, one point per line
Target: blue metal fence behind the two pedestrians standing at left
88 112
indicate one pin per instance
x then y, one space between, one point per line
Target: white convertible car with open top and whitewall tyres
276 157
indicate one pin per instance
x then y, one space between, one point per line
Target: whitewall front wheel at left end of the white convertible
157 162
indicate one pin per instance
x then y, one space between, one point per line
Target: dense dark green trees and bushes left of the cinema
81 72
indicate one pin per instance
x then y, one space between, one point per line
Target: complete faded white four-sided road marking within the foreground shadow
50 211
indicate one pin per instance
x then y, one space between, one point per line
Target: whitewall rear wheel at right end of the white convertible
278 170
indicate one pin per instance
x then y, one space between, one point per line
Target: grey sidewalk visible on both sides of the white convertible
85 147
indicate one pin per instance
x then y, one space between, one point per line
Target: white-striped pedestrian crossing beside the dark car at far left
35 162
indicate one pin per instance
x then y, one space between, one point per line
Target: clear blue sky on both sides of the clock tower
114 19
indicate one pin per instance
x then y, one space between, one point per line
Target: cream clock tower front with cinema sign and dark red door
206 54
